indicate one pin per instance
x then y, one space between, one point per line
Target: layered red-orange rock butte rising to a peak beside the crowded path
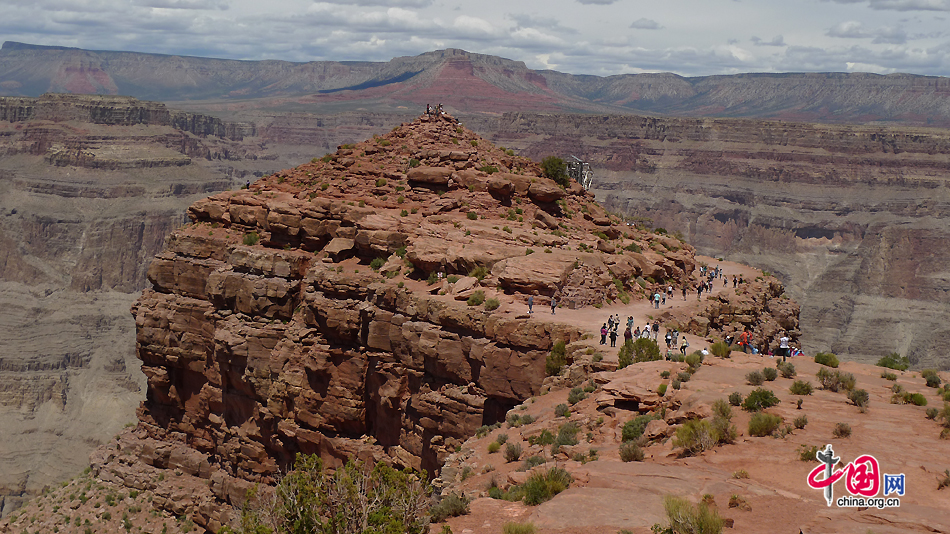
305 314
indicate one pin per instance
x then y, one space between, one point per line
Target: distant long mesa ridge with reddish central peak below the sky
474 83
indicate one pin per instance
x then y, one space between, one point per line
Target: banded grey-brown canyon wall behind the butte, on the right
853 219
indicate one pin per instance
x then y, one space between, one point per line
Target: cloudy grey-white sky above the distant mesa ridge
602 37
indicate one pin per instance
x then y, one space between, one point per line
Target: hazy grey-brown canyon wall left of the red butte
89 188
